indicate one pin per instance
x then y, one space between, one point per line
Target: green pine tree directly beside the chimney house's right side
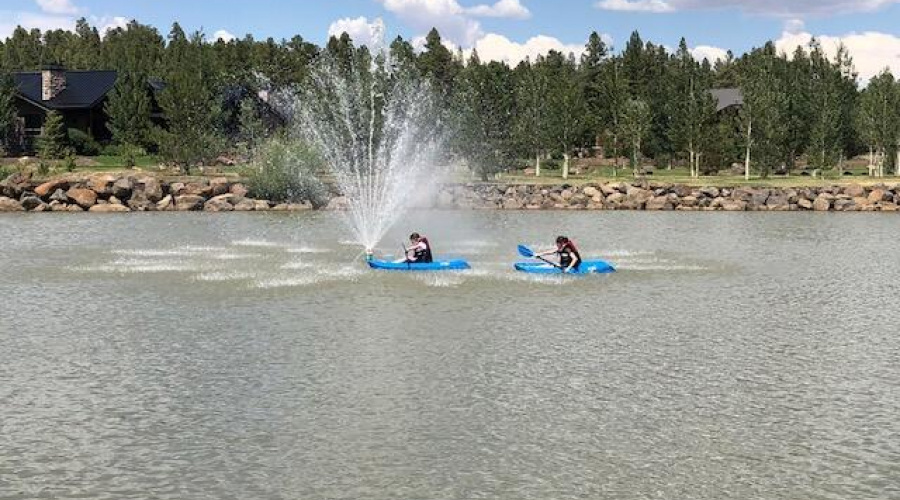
128 109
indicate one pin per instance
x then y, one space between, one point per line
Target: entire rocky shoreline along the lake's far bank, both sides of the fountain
142 192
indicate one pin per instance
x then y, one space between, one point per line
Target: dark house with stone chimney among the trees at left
79 96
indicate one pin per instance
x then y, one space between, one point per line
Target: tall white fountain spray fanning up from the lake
373 119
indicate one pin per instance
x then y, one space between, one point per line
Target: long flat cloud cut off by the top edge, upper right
794 8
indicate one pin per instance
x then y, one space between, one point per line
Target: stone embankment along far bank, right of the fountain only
657 196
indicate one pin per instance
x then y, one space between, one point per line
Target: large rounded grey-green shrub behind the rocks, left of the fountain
285 171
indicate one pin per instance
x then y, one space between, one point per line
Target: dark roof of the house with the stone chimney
84 89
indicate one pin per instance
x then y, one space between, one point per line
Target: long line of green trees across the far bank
643 103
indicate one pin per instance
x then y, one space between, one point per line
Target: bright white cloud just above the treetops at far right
871 51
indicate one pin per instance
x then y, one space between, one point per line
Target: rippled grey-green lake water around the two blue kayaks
172 356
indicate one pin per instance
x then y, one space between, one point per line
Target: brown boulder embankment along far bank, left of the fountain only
130 193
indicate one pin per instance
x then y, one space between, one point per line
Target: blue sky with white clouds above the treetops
510 30
